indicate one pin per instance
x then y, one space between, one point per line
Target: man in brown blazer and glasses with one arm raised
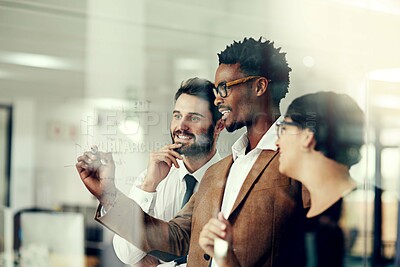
243 202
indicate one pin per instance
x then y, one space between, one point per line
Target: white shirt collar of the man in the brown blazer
267 142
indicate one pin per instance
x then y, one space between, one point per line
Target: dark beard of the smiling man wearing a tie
203 144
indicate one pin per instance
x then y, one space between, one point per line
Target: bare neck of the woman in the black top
327 181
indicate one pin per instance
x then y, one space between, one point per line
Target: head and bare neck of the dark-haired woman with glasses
319 140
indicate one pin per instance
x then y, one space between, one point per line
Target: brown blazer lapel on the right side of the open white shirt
261 163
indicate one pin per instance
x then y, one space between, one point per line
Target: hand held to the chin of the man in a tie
160 163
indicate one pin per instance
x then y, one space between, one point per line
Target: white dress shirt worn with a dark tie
163 204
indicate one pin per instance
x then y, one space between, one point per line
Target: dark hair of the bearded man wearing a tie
201 88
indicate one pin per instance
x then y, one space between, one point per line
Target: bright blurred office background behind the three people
76 73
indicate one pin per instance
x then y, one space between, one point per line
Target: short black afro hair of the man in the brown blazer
258 58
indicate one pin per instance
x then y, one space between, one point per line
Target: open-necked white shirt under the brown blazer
242 164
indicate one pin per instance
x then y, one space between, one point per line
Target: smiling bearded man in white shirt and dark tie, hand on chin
162 189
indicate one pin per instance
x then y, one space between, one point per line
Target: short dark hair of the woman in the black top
336 121
